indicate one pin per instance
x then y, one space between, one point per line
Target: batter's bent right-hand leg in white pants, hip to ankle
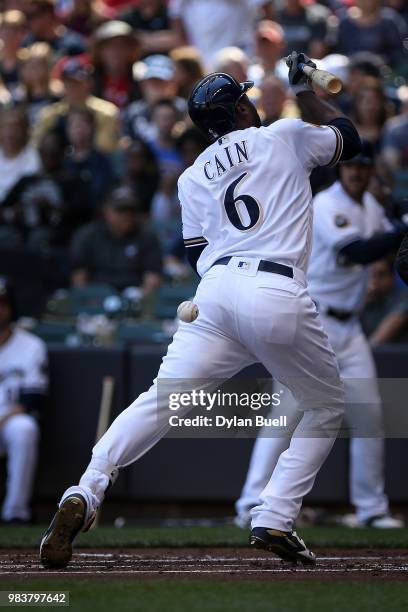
296 350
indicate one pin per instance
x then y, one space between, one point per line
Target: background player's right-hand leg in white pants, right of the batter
365 418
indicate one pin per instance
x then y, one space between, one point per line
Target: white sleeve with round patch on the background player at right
333 226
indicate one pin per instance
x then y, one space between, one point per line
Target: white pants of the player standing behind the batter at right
363 416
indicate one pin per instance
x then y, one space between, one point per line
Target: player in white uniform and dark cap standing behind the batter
350 230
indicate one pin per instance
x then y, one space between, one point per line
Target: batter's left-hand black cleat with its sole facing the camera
69 520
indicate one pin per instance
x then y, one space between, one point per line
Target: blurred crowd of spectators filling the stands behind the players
94 130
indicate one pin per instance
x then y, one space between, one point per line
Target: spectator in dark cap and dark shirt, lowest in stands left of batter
117 250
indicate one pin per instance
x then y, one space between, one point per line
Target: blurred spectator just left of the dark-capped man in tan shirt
37 89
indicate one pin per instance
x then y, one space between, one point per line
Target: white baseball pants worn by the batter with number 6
245 317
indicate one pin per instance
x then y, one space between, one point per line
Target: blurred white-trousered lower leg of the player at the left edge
19 436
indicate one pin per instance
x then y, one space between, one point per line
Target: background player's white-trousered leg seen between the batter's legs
266 451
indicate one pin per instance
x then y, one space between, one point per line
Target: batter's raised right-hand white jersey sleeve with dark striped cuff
313 145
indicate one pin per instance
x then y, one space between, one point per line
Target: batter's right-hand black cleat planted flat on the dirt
286 544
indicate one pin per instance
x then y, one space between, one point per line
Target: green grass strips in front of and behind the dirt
216 595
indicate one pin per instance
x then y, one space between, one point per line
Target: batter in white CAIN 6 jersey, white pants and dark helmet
246 213
